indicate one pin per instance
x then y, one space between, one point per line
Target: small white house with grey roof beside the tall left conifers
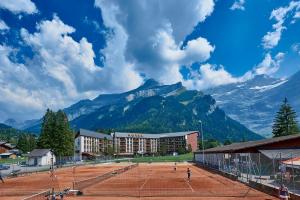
40 157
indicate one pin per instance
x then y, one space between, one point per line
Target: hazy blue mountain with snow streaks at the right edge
255 102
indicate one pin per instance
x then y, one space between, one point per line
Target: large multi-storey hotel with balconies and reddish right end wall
90 143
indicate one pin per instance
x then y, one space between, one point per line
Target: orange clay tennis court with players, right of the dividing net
158 181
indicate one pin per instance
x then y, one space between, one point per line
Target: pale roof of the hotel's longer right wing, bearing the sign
152 135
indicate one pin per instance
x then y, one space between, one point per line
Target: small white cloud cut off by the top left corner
19 6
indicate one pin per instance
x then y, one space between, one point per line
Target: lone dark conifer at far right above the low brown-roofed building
285 121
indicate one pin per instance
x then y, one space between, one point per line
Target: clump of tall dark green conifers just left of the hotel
56 134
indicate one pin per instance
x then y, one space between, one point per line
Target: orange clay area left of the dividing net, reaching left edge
20 187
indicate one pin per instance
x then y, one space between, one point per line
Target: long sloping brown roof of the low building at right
243 146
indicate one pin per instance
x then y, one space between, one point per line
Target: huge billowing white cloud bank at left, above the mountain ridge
62 71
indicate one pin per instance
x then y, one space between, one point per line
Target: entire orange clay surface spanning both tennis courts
147 181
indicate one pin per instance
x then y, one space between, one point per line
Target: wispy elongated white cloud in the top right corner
272 38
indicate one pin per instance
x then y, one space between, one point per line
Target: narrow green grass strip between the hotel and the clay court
179 158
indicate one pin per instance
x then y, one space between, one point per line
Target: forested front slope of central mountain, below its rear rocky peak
156 114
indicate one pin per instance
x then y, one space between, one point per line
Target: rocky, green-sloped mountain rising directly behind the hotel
155 108
